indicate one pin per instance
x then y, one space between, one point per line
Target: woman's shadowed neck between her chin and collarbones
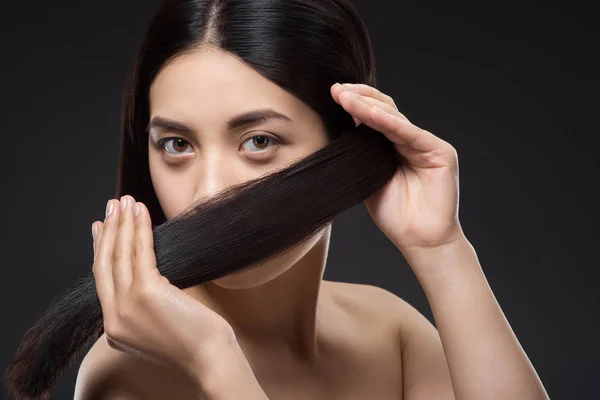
281 314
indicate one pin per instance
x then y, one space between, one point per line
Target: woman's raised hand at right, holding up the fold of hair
418 207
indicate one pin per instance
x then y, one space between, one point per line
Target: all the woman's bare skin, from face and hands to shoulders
298 336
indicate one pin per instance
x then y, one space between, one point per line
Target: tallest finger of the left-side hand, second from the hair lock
122 255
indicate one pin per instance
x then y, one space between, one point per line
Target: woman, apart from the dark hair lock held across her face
236 90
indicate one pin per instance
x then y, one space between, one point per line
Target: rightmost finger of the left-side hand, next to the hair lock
144 258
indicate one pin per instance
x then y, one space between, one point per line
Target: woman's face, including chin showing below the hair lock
214 123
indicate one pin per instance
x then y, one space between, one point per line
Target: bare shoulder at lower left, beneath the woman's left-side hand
106 374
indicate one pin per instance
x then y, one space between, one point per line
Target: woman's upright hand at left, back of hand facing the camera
144 314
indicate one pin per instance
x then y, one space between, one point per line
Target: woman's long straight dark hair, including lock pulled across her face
304 46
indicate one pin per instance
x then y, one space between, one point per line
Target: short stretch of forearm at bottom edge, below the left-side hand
228 376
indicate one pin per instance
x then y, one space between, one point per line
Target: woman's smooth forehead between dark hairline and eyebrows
211 83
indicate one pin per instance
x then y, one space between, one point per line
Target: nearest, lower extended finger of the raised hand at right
394 127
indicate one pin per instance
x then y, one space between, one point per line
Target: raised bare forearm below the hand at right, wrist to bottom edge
485 359
